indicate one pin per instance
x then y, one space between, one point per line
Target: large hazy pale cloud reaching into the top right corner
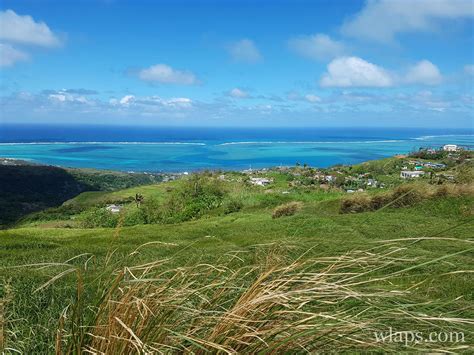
382 20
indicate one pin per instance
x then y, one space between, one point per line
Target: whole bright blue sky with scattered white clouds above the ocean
294 63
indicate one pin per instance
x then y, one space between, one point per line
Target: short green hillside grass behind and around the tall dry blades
315 231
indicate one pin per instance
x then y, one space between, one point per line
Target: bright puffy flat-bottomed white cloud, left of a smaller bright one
355 72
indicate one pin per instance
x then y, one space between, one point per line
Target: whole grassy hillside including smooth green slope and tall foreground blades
413 267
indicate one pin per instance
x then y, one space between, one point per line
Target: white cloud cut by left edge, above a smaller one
25 30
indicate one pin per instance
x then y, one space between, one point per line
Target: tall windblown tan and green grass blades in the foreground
325 304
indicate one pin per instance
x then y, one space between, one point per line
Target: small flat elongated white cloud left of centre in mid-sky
165 74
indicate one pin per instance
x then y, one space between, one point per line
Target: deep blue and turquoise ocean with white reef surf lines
156 149
